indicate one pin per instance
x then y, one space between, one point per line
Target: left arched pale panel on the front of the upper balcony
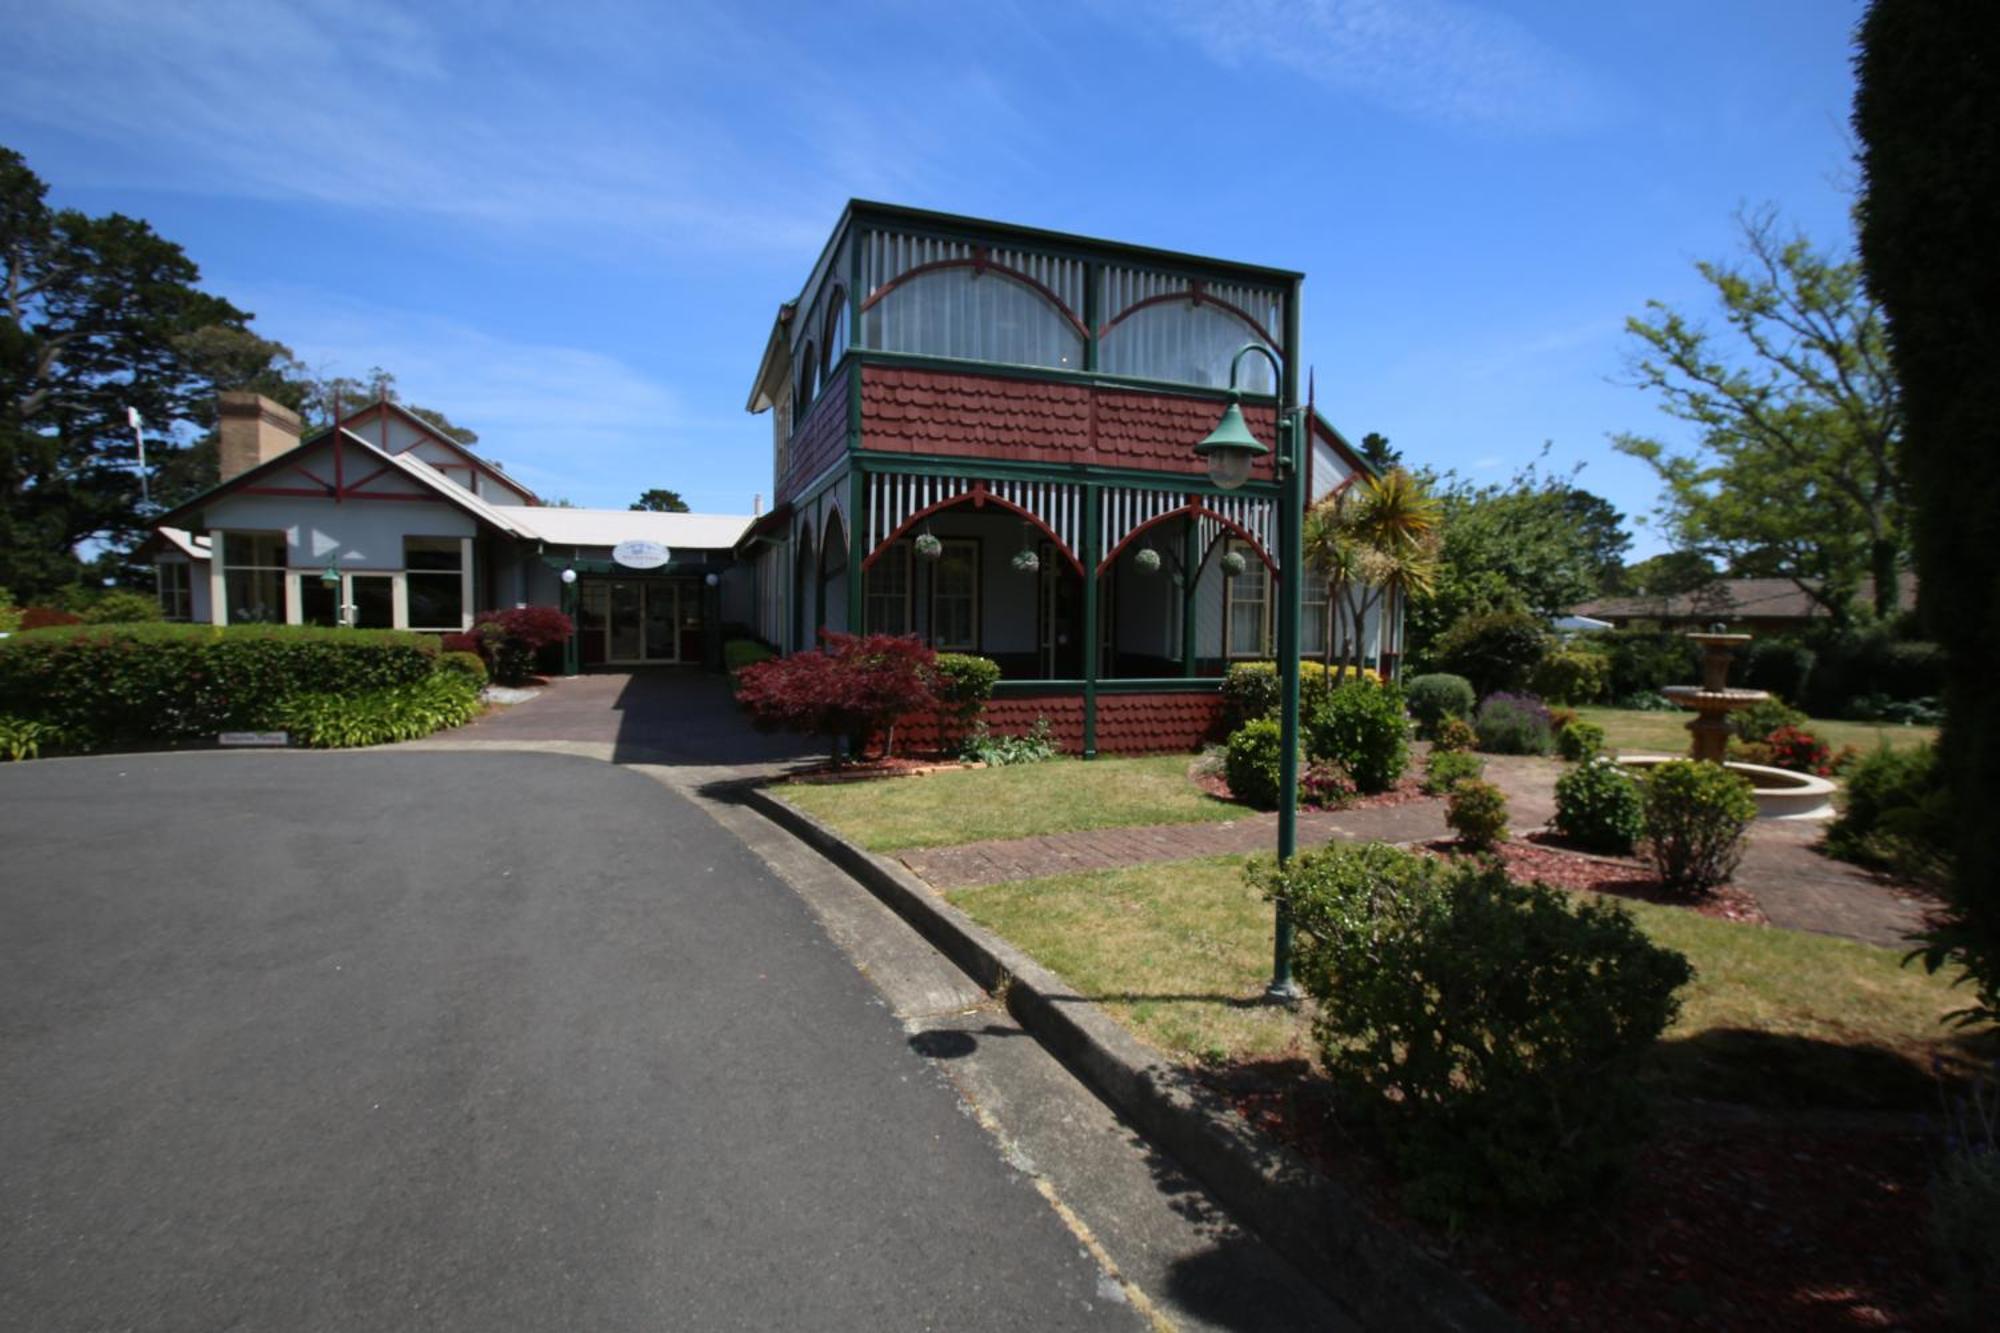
975 315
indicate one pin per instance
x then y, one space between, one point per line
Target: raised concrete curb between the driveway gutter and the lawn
1381 1276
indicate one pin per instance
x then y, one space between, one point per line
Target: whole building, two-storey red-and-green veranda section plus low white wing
981 435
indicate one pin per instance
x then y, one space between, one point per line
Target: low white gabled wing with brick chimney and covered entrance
387 523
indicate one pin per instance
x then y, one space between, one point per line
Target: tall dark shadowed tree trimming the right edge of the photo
1929 121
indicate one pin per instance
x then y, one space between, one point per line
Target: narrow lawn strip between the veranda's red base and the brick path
1011 804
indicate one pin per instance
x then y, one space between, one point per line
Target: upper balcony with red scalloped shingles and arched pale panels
931 335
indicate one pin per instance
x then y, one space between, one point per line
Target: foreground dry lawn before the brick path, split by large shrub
1181 954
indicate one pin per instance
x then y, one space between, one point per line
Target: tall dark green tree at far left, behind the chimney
97 317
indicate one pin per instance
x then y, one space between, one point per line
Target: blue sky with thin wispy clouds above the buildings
571 225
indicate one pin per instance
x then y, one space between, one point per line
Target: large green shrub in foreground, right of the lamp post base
1493 1032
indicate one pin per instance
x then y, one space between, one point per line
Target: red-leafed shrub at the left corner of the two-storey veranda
851 692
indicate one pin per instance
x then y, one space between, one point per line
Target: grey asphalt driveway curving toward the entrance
467 1042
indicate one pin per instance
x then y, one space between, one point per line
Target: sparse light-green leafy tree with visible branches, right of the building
1797 465
